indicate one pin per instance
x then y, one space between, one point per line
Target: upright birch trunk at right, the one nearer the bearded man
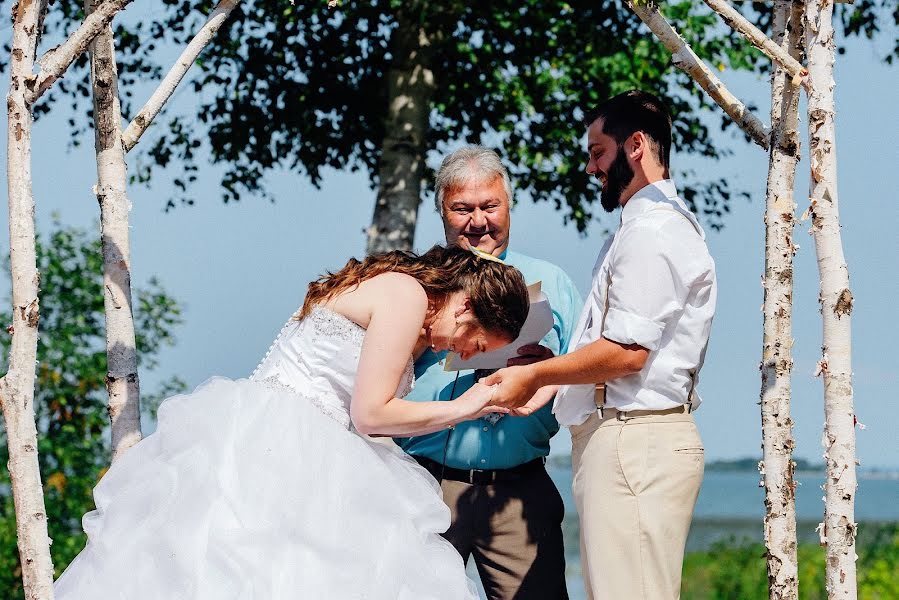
777 361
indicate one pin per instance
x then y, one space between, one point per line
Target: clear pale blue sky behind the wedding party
241 270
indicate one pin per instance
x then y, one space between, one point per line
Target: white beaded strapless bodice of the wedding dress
317 358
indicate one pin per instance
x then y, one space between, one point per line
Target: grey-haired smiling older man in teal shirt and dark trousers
506 511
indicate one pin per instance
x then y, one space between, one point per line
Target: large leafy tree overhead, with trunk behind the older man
307 86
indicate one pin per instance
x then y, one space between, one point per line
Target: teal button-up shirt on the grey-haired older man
511 441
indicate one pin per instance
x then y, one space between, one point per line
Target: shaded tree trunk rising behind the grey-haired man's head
410 85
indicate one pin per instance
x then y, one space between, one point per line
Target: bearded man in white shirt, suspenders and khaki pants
636 455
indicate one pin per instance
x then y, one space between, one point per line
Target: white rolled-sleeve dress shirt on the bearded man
659 279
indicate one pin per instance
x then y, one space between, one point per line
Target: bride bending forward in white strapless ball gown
270 488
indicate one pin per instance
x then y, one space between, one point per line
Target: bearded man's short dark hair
633 111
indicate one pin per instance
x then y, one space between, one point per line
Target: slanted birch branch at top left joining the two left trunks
55 61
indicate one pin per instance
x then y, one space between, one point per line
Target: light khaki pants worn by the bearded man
635 486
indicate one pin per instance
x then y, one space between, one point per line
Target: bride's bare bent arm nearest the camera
397 311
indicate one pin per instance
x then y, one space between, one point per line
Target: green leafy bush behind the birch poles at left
70 395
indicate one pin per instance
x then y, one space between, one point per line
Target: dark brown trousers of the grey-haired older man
514 532
